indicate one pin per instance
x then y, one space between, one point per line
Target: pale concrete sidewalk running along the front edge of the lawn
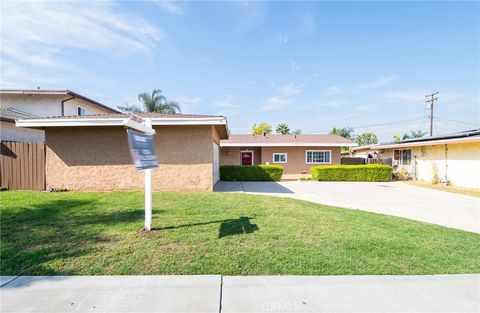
439 293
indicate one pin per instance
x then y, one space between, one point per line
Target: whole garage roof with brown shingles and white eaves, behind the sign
118 119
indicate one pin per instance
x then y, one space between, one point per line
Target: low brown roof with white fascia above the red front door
278 140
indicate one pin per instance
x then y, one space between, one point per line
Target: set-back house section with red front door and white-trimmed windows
296 153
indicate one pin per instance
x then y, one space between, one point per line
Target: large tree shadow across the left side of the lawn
57 230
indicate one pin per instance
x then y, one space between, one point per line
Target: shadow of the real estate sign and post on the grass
228 227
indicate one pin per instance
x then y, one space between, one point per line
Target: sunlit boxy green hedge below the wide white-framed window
370 172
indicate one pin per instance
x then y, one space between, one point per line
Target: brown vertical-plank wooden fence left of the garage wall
22 165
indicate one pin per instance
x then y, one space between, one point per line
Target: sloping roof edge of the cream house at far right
461 137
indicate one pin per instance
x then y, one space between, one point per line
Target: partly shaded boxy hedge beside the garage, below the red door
251 172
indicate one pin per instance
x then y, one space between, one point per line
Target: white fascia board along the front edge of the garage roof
63 122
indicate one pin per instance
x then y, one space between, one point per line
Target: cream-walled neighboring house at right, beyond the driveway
452 158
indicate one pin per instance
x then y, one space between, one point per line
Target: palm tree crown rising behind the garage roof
154 102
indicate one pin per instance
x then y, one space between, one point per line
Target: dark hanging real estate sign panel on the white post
142 151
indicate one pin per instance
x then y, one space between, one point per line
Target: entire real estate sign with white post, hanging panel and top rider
144 157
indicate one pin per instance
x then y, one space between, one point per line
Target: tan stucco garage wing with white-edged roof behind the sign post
91 152
